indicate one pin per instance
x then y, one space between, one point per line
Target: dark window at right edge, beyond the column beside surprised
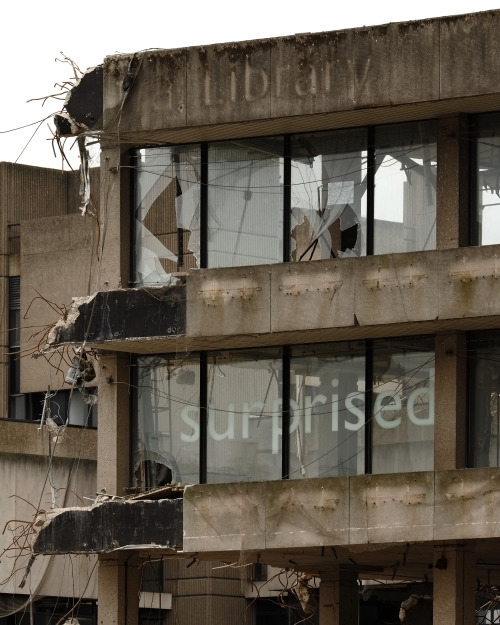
484 397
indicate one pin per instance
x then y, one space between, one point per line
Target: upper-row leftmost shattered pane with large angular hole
167 212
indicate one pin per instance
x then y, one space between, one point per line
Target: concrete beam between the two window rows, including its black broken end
340 299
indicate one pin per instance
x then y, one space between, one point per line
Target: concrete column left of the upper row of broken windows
112 271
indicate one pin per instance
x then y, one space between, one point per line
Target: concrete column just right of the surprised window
450 424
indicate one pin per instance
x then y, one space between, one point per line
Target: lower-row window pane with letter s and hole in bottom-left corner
167 424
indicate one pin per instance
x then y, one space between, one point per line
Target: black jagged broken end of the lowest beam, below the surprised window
111 525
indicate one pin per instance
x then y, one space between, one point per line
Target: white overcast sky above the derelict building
37 36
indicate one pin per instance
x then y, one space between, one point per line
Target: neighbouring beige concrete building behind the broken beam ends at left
42 467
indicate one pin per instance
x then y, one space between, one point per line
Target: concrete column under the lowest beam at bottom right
454 586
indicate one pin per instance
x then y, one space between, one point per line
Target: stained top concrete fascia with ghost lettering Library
335 72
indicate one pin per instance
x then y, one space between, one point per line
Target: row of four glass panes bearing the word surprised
300 412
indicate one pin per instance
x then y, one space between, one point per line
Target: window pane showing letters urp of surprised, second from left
244 416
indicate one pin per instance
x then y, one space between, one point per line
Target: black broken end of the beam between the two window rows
128 314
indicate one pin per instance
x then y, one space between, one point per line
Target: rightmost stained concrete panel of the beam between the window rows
468 282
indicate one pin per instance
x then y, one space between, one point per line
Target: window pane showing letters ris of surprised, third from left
327 410
